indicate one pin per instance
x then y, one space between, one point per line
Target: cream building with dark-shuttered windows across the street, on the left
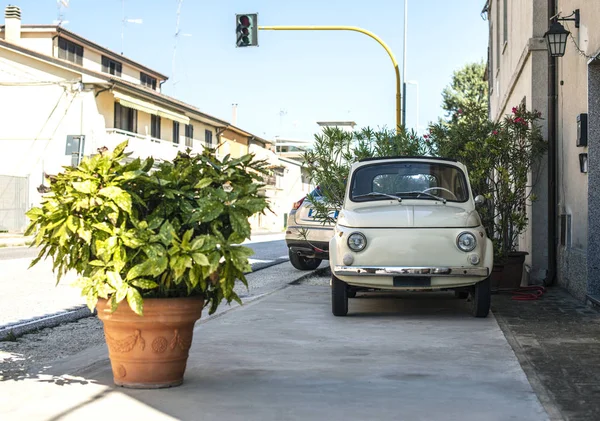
63 97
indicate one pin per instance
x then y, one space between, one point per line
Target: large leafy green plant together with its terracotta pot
165 238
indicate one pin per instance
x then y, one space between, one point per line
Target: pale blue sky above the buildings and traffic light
311 76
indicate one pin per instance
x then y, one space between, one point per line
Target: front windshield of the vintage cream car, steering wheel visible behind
409 180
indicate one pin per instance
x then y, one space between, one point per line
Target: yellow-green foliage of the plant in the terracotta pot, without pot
133 230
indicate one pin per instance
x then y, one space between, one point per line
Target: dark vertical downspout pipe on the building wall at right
552 164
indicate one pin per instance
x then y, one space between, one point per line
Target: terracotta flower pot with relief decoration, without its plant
150 351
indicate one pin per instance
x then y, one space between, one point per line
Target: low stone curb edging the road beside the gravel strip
14 330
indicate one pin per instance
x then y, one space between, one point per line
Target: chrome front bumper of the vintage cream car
409 271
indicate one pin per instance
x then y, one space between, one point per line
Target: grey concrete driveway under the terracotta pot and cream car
285 357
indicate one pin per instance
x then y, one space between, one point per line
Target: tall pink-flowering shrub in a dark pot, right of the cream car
502 159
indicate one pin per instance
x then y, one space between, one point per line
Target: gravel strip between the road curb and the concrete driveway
28 355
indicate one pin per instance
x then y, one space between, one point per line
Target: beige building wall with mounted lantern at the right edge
518 72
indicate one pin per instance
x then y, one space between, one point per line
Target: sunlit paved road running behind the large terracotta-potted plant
31 293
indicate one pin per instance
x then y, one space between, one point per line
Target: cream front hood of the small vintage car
399 215
